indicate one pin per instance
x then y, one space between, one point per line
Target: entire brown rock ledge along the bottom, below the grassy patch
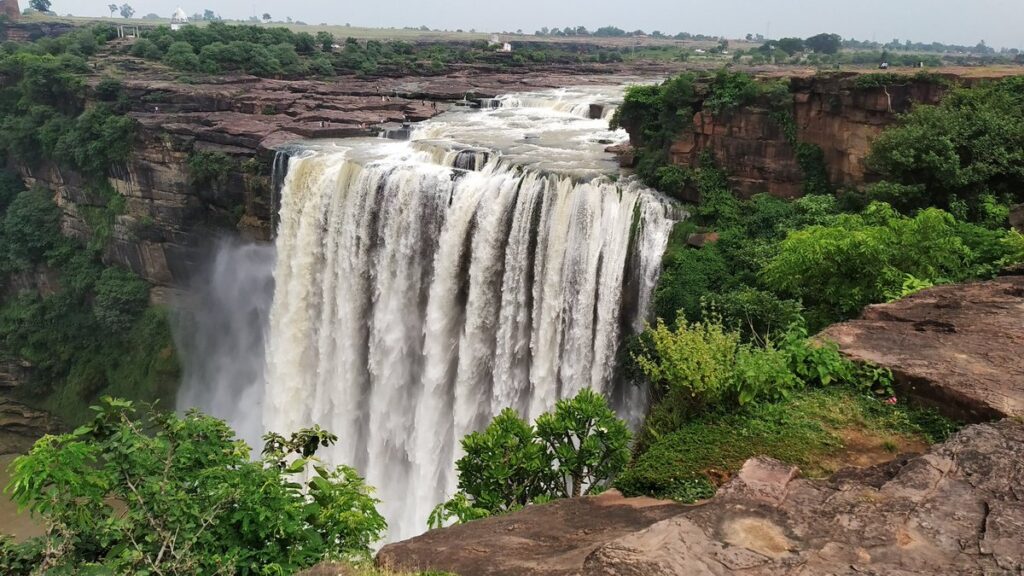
958 510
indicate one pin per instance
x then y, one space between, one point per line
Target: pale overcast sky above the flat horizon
1000 23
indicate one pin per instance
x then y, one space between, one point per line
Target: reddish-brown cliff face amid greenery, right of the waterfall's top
833 112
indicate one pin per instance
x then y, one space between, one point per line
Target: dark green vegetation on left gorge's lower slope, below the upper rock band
93 333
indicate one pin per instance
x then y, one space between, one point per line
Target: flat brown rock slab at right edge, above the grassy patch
958 348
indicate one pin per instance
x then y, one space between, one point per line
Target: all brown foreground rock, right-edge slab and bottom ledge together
957 510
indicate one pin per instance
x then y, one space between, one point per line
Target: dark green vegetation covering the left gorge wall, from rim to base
82 328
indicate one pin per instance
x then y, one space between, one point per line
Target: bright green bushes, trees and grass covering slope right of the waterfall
733 372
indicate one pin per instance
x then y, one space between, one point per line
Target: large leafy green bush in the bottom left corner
190 501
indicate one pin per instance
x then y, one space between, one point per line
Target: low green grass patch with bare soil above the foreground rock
819 431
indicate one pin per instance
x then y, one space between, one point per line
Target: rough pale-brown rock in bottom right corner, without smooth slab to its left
957 510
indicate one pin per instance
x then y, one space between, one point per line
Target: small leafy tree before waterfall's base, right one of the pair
590 444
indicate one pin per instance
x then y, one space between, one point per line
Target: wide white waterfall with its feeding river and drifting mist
417 289
